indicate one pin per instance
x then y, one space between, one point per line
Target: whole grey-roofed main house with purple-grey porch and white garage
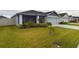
36 17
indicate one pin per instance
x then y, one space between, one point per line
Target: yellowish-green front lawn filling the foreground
13 37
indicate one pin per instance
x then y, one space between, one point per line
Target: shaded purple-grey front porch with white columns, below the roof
21 19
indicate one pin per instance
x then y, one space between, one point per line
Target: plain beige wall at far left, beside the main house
5 22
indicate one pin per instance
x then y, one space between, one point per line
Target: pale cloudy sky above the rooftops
10 13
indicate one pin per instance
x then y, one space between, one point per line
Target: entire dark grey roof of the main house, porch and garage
37 13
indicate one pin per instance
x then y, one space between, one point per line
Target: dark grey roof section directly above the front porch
32 12
